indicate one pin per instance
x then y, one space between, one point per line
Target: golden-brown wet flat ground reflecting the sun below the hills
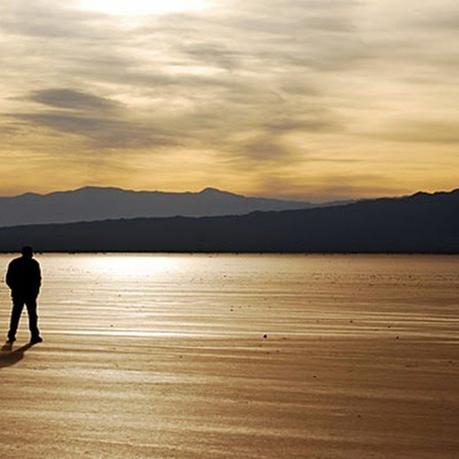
165 356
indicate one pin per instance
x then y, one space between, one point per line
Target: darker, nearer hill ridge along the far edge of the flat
422 223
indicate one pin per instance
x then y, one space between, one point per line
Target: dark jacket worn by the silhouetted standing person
24 277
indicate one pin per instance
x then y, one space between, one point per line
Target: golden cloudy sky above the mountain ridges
304 99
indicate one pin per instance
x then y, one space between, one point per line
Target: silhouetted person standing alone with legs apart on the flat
24 280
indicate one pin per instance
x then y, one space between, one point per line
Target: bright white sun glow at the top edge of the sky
141 7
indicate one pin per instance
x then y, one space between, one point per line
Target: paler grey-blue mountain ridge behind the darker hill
93 203
